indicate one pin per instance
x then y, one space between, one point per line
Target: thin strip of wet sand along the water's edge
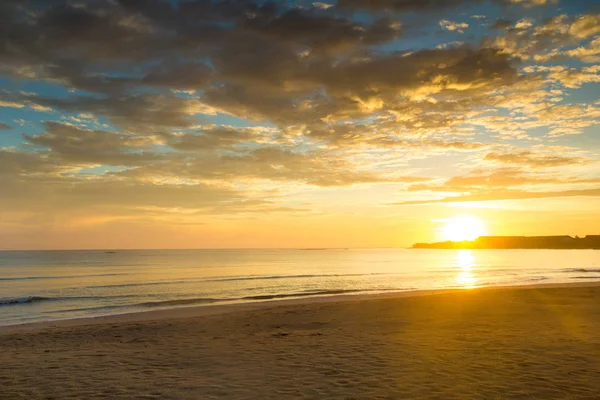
184 312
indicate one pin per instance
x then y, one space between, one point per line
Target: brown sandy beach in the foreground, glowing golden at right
521 343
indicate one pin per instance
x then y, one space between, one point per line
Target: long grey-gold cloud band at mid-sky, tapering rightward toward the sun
213 155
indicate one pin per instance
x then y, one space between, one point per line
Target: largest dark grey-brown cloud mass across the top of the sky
267 64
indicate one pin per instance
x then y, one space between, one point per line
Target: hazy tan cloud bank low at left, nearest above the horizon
28 177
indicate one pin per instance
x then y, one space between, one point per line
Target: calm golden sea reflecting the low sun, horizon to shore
51 285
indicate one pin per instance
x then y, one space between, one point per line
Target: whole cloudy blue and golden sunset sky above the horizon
348 123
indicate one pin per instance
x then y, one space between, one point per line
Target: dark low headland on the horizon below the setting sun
518 242
